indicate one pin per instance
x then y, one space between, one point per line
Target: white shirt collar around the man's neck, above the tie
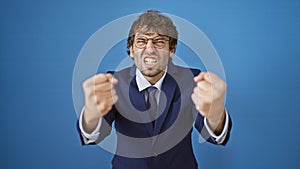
143 83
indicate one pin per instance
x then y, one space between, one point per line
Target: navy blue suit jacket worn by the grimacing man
167 144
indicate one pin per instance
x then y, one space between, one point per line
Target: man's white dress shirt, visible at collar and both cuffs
142 84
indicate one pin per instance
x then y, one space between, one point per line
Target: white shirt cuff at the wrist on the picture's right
219 139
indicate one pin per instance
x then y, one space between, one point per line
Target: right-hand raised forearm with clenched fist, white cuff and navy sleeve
208 97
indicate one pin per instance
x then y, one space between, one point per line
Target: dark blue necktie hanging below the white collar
152 103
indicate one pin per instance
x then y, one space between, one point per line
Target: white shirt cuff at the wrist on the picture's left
94 135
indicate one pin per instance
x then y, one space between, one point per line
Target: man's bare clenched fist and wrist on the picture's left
100 96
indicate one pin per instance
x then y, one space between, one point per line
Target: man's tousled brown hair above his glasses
154 22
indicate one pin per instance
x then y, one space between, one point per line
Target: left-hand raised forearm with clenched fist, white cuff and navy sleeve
100 97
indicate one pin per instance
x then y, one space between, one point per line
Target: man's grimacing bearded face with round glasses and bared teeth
151 55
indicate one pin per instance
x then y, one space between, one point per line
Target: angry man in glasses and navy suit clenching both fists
154 104
